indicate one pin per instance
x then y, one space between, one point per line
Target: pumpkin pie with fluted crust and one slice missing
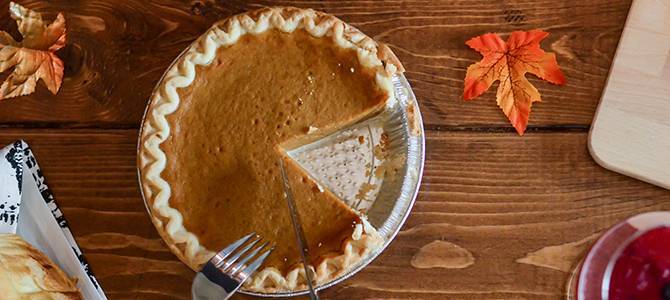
217 126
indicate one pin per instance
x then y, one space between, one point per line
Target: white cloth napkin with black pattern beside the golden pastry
28 209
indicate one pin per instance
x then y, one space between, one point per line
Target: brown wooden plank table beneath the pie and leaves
498 216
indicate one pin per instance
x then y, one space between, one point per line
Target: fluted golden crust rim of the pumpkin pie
165 101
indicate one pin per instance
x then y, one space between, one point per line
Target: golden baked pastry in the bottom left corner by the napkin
26 273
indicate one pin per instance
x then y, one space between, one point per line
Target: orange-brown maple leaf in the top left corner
33 58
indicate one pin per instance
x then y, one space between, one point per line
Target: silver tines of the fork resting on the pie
233 259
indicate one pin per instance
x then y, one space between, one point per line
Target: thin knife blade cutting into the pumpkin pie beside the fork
300 235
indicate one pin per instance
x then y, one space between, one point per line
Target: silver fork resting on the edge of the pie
224 273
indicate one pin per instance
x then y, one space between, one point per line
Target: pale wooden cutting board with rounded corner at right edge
631 129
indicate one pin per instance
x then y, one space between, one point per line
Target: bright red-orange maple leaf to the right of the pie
508 63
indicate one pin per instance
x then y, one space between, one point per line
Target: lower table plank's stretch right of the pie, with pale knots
526 209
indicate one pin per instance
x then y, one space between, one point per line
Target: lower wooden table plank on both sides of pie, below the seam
498 216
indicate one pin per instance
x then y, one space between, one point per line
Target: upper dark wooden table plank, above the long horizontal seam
117 51
